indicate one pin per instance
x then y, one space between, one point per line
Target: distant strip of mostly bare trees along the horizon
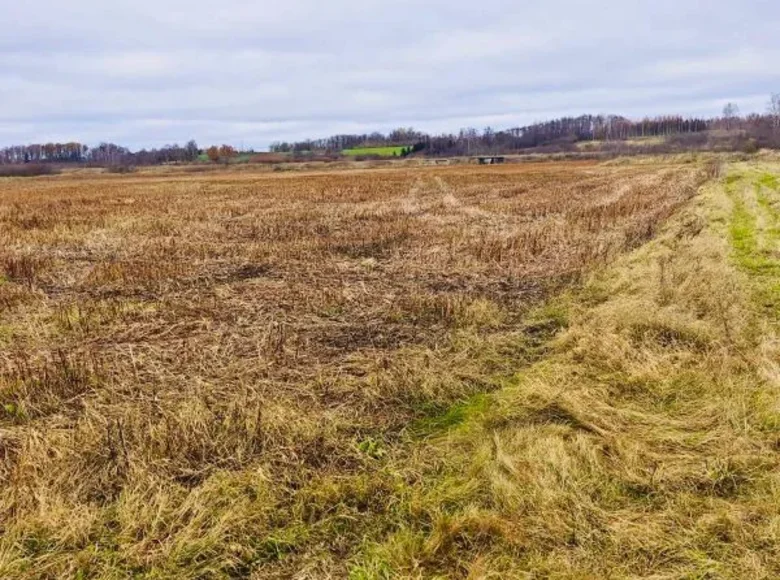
609 134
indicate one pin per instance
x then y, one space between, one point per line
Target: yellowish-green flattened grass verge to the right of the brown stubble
644 445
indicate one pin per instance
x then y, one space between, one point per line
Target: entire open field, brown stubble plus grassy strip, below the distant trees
457 371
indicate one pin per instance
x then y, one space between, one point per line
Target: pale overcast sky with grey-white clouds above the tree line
144 73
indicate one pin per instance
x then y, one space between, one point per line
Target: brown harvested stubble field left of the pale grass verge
224 374
